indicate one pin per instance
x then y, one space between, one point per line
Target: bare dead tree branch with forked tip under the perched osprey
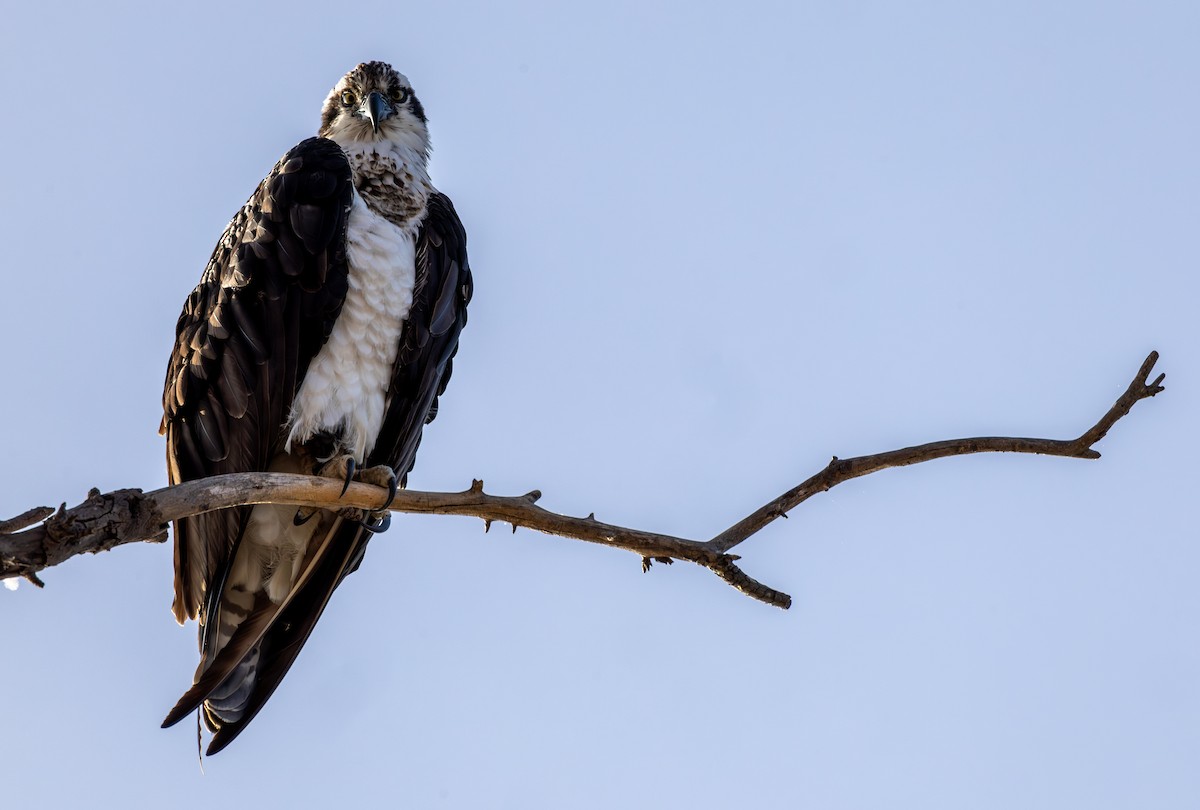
113 519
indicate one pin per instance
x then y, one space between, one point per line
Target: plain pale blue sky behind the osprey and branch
715 245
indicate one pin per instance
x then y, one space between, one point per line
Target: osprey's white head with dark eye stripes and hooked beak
375 104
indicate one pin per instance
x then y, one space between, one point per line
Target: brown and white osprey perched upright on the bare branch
317 343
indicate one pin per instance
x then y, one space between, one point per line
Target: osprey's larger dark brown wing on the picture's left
263 309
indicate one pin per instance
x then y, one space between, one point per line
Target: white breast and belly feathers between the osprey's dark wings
346 386
